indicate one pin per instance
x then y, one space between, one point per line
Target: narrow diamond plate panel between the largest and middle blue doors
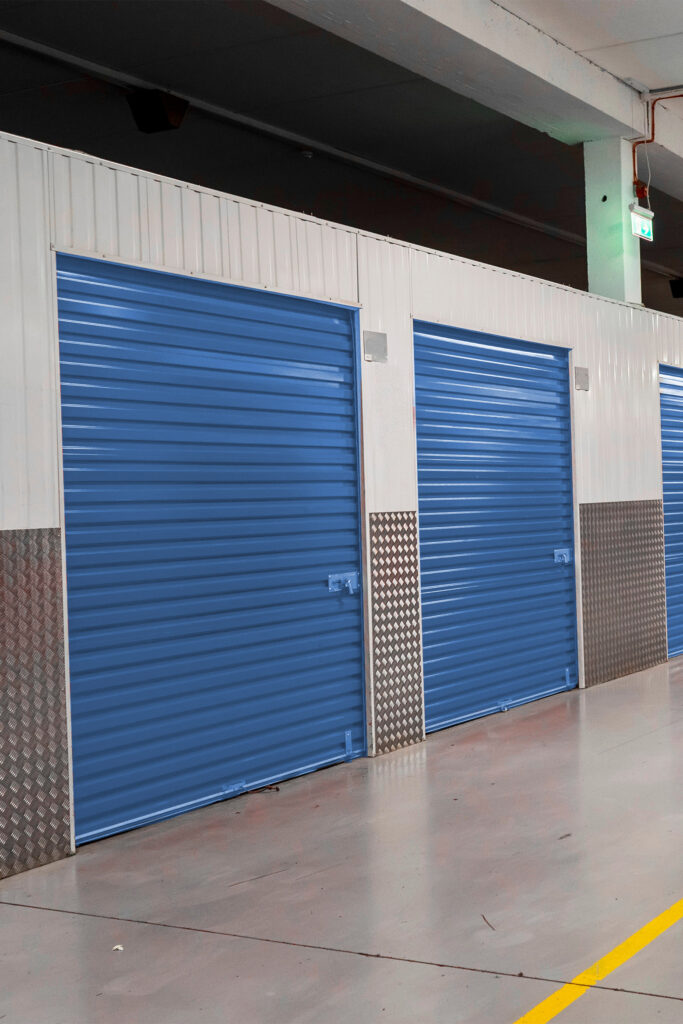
397 630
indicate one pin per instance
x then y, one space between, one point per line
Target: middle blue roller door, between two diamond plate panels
496 523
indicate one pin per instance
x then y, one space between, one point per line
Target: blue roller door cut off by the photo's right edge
671 389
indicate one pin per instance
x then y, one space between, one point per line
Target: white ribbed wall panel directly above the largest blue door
116 214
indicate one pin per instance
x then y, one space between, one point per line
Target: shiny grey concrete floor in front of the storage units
360 893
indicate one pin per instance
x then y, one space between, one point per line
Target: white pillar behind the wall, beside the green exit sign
614 253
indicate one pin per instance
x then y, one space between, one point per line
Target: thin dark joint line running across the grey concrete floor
337 950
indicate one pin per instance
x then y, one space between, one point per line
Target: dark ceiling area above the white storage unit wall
251 59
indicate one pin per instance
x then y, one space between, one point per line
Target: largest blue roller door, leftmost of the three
211 488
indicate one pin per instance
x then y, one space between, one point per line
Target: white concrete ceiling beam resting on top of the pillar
479 50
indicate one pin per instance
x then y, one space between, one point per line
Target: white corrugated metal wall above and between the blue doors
54 200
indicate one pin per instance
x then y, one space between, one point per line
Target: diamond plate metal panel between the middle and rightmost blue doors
623 588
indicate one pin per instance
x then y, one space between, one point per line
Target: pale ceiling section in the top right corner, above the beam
639 41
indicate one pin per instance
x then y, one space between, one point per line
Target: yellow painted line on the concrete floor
569 994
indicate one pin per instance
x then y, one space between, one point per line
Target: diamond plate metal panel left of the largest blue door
35 812
